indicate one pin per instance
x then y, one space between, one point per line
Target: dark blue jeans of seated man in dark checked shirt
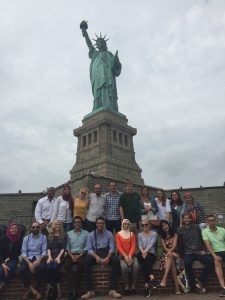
205 259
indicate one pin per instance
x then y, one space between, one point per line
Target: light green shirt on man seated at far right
215 238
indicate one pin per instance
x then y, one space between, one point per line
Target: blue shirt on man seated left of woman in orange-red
100 240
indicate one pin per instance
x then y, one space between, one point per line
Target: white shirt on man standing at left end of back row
44 209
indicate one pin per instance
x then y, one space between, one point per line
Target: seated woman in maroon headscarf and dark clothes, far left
10 249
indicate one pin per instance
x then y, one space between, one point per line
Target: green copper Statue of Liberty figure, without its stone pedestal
104 69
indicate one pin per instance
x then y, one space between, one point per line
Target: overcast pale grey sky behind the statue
171 88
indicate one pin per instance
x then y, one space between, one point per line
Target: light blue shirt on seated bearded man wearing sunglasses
34 245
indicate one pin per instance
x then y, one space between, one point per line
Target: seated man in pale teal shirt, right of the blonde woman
76 250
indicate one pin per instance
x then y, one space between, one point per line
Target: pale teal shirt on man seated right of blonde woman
76 241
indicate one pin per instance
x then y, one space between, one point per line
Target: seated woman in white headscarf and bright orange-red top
126 245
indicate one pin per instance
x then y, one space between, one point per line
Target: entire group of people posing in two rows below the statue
104 229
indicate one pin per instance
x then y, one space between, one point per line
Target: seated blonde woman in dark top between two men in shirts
56 249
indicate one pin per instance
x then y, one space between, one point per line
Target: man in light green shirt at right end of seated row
214 239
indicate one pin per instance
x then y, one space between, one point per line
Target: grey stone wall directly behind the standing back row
15 205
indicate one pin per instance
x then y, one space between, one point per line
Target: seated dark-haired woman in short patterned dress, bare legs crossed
169 257
